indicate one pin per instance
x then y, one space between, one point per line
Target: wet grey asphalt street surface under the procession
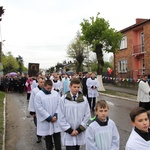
21 132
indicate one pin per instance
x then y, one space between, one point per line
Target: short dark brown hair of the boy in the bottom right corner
136 111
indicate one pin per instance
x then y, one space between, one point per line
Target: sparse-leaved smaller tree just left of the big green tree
78 51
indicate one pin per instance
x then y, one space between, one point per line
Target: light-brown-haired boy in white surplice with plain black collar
102 133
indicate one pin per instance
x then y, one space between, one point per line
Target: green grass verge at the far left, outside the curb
2 95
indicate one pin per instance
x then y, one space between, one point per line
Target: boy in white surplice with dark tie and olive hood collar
74 112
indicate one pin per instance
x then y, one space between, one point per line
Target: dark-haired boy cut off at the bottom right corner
140 136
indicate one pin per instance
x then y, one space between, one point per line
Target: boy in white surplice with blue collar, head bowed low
46 104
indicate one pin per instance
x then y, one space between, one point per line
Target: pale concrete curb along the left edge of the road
4 122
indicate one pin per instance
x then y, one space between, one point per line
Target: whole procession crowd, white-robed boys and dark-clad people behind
61 108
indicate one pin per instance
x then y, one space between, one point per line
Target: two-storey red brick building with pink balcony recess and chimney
133 58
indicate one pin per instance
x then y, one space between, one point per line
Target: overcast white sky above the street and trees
41 30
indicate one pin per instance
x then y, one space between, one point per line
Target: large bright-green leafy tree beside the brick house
100 37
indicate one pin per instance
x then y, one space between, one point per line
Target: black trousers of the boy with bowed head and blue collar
57 141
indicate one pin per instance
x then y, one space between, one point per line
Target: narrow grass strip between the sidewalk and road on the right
115 93
